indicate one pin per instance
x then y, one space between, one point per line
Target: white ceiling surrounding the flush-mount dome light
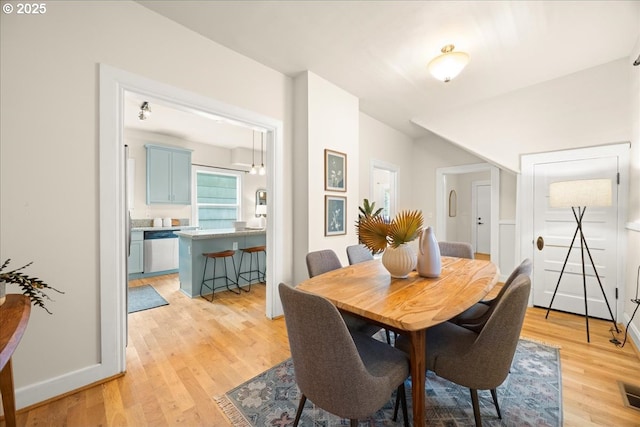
378 50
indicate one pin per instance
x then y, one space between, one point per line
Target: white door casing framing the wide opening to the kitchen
113 219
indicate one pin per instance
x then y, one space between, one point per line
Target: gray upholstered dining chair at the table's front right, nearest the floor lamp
480 361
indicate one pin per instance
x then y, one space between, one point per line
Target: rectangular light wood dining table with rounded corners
408 306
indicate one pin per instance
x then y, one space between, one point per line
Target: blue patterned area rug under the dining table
530 396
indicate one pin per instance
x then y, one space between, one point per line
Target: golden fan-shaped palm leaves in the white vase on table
377 232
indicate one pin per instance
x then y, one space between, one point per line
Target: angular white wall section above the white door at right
583 109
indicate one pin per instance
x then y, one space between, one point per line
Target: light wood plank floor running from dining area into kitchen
181 355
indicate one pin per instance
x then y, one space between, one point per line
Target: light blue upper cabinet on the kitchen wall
168 175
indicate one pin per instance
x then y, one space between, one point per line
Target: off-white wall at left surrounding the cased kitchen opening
49 187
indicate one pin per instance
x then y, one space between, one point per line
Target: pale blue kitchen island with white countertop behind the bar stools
194 243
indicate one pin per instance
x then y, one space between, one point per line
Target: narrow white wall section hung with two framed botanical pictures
331 123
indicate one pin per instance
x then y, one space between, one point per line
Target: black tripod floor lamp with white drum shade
578 195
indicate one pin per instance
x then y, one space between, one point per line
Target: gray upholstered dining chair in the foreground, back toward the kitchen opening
350 375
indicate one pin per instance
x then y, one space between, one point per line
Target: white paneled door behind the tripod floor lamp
553 231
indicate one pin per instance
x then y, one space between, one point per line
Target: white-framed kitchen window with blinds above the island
217 199
